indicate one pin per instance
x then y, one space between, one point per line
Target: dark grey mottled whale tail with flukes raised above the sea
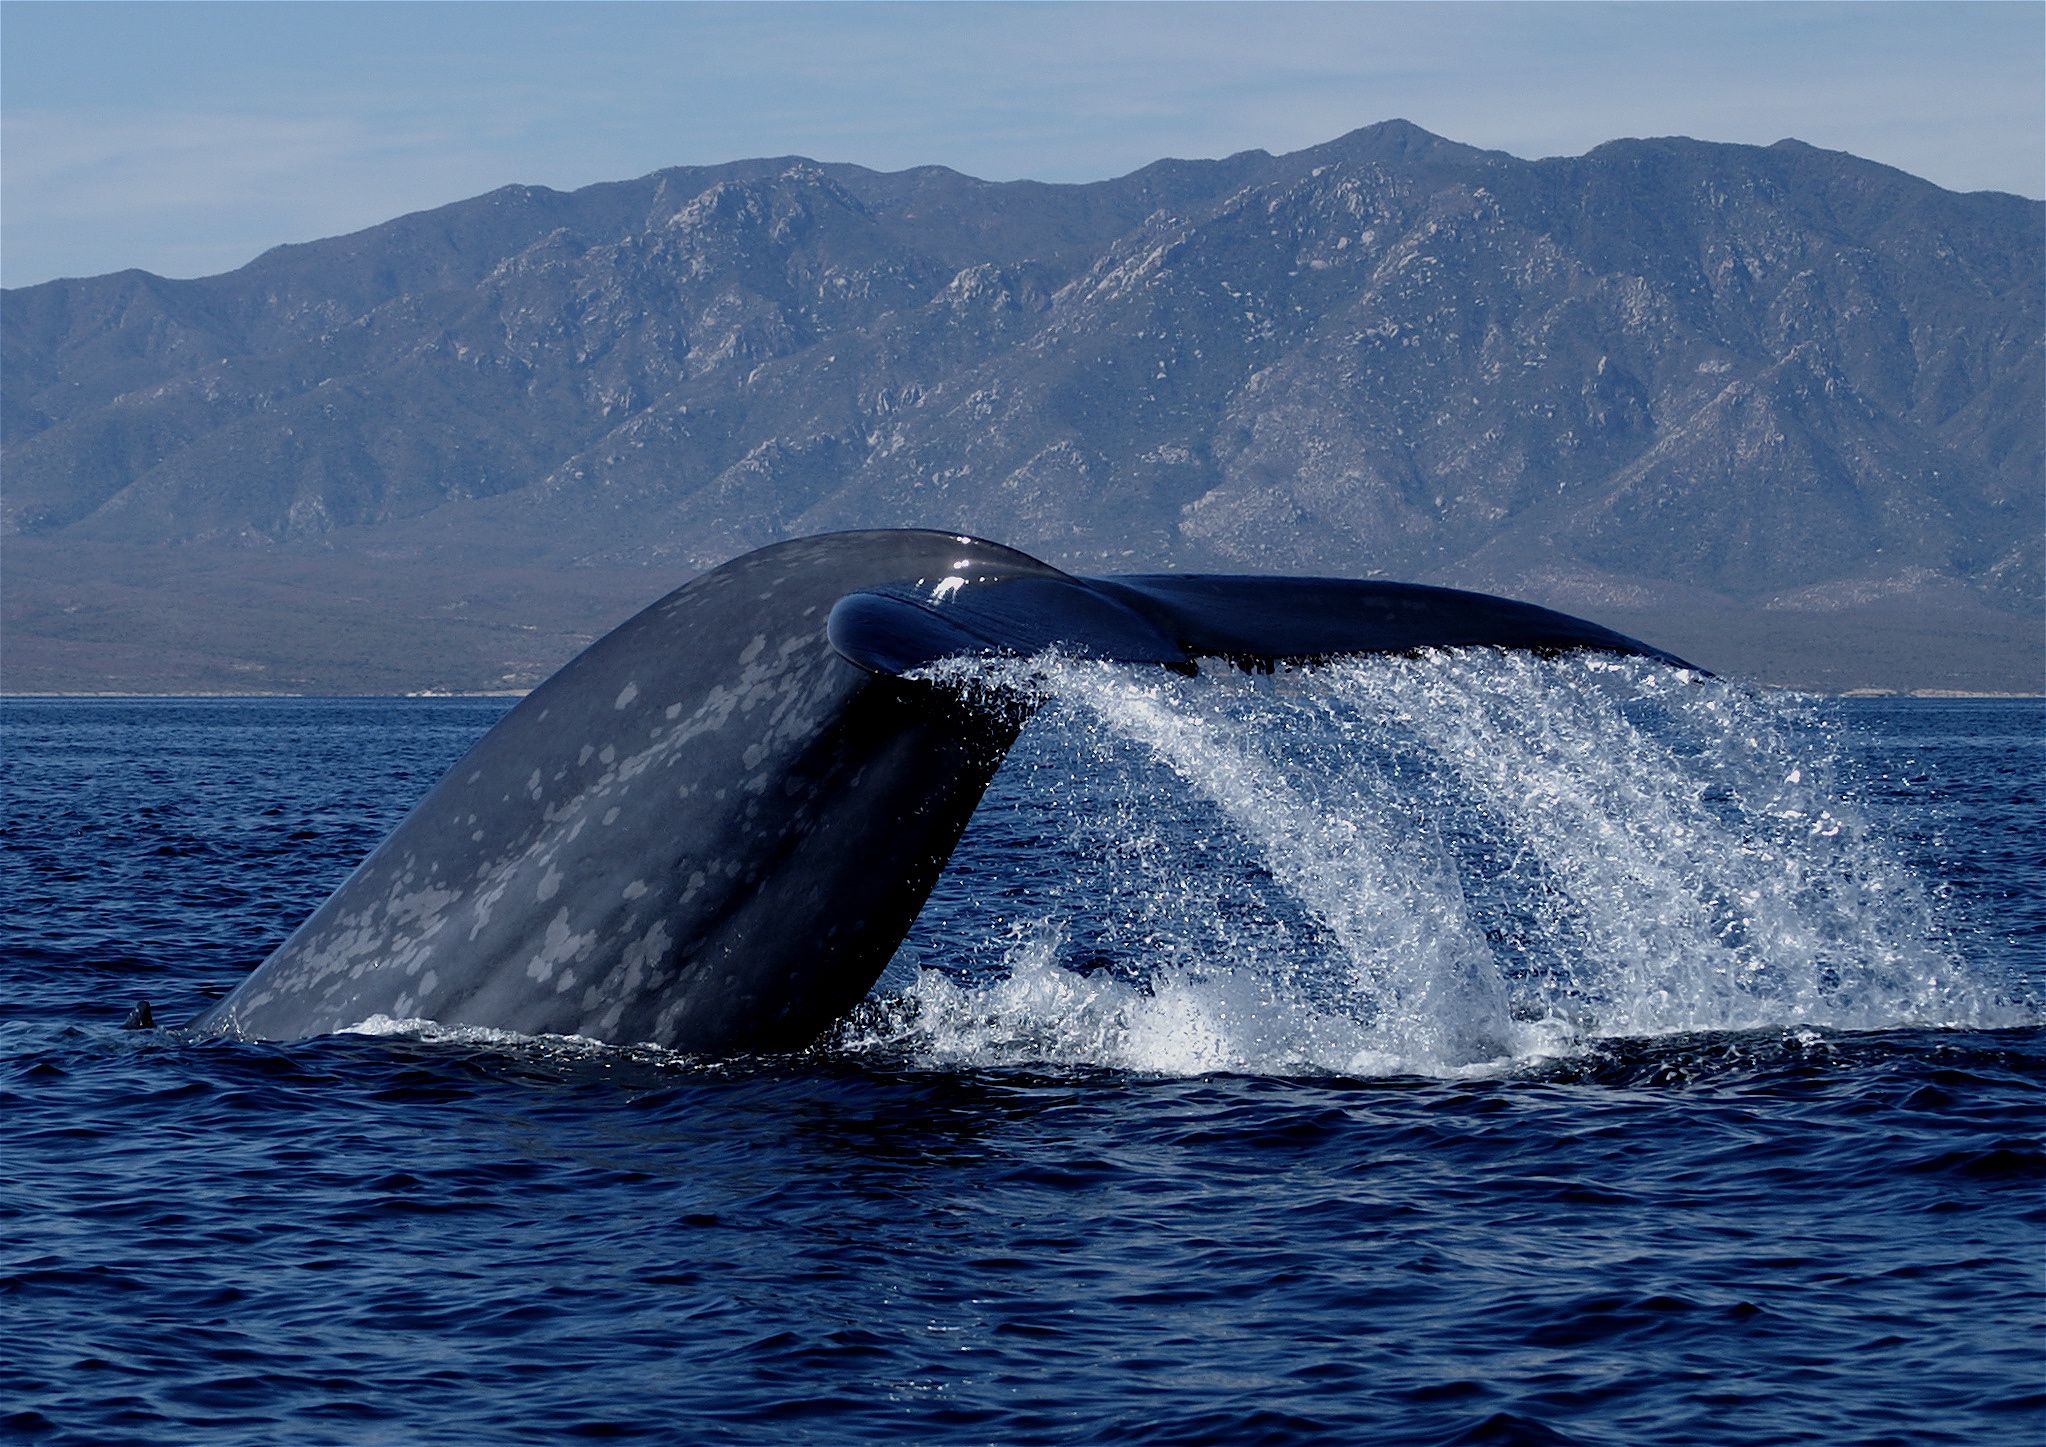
713 830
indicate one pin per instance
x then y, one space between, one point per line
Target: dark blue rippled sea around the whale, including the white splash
1503 1057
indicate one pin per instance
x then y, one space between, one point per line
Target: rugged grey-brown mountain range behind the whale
1777 408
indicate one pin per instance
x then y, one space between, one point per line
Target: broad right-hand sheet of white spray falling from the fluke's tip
1701 865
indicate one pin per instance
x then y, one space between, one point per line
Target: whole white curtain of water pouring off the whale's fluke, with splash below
1443 865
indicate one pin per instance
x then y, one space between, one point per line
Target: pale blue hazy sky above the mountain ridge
189 138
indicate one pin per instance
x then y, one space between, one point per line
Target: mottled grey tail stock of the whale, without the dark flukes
697 834
